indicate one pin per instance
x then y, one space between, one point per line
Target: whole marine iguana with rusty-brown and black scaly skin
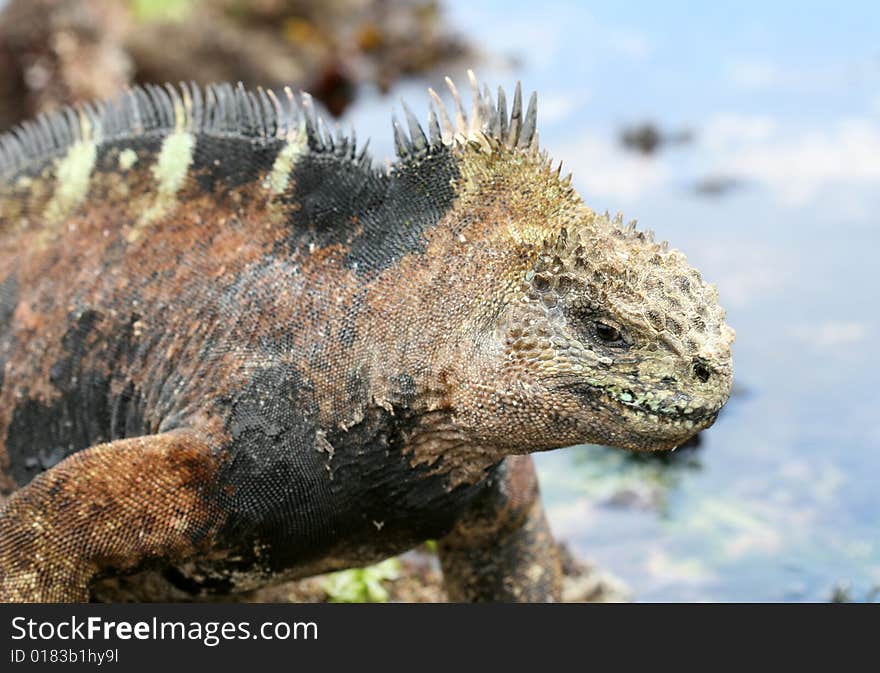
233 350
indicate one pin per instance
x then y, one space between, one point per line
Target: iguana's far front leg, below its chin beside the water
502 549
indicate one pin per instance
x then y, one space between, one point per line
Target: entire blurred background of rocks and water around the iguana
747 135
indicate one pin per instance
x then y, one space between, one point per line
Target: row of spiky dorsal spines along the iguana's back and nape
262 117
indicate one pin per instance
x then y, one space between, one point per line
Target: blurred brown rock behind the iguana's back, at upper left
66 51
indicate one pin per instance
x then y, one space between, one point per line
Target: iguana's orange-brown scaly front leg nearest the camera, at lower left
112 506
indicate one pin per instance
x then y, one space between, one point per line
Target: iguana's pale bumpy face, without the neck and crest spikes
624 336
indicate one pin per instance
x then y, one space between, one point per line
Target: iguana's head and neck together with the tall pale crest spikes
586 329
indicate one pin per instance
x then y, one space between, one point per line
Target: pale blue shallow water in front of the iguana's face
780 500
